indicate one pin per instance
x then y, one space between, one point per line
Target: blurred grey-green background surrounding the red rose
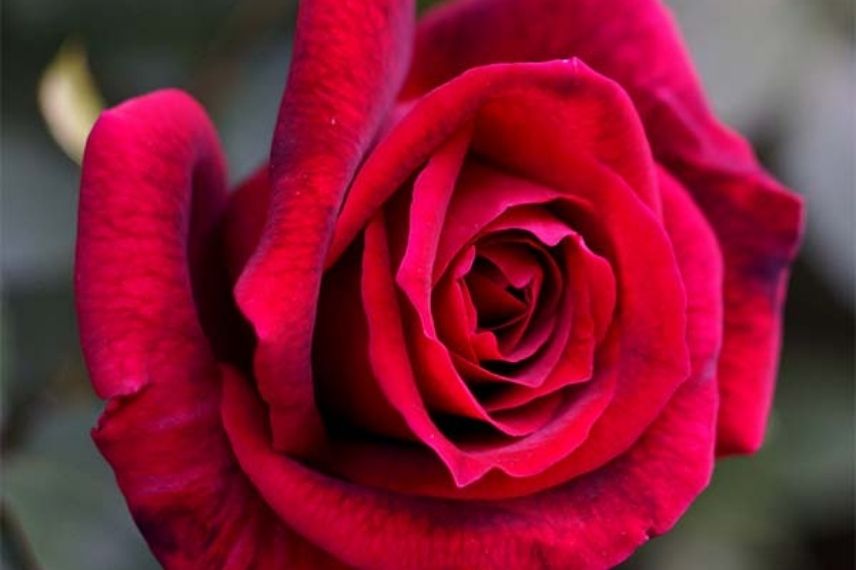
781 71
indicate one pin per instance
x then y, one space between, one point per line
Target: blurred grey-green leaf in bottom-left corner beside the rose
65 499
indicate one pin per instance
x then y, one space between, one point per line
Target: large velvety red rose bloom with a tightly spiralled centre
504 291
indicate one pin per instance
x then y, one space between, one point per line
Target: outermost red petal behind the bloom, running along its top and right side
635 43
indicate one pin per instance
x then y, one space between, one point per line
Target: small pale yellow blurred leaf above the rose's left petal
69 100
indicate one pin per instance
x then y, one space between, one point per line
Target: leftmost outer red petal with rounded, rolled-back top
151 193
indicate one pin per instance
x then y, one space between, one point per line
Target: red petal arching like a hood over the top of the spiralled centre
594 115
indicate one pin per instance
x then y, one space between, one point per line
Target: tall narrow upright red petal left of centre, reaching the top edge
348 62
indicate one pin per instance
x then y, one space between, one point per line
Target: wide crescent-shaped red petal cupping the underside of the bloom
590 523
